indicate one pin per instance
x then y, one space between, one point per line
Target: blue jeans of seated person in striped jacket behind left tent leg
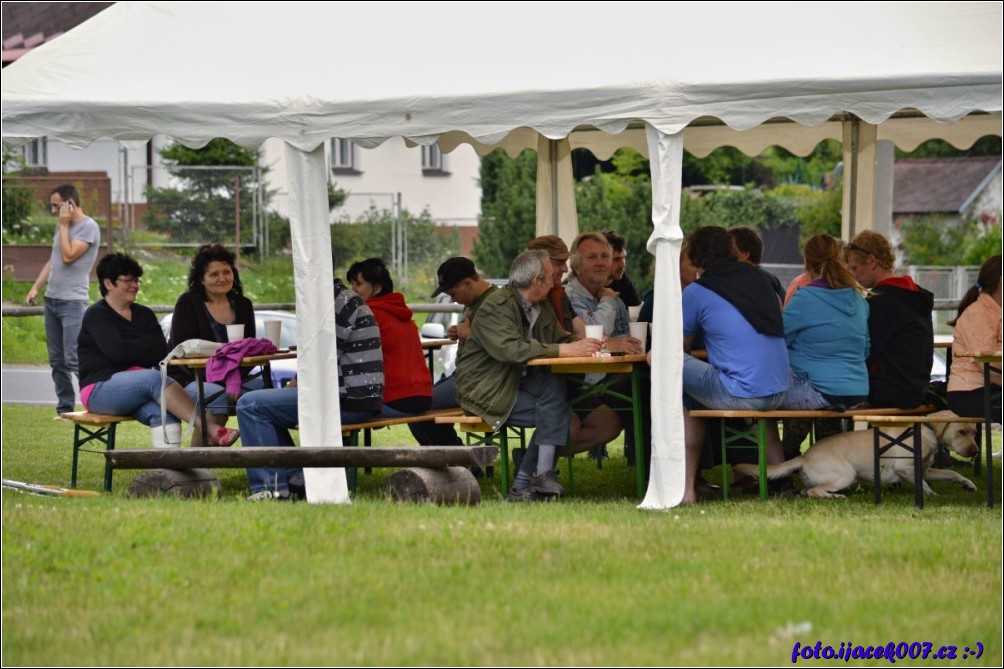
265 418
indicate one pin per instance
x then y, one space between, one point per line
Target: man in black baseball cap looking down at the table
458 279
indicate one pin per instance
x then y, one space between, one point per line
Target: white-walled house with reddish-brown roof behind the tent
391 176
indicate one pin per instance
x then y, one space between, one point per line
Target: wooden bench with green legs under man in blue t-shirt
757 430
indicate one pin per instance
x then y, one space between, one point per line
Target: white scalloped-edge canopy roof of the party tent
370 72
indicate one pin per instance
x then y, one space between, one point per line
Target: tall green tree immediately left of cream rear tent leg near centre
509 210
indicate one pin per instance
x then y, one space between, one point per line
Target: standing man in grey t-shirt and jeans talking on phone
66 279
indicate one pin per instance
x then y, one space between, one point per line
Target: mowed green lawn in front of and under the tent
586 581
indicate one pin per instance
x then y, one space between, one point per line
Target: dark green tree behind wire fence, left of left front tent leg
203 208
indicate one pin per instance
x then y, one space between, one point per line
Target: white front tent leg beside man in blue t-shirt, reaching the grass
666 484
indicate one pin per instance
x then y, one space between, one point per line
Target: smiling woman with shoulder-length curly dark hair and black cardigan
214 300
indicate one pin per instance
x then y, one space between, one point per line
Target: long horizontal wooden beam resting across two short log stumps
436 458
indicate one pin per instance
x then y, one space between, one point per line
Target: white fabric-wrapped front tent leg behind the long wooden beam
317 365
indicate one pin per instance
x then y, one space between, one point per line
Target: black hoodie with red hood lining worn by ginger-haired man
902 343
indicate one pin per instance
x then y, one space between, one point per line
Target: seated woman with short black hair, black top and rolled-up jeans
120 347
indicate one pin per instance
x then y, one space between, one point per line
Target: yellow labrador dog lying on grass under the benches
835 464
